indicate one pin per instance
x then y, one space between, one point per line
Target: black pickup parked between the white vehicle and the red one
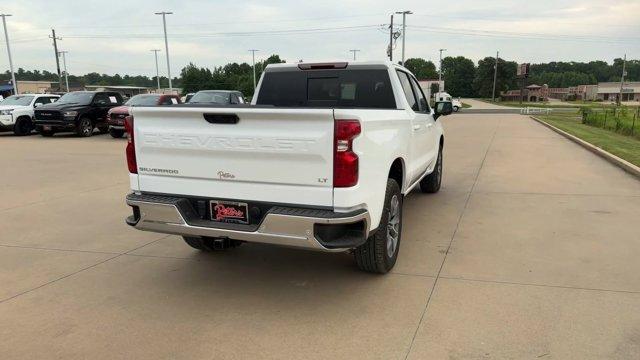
78 111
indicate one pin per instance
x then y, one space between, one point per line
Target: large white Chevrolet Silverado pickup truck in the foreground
321 160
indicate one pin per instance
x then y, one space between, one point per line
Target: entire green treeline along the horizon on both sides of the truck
463 77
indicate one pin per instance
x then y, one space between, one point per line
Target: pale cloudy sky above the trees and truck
116 36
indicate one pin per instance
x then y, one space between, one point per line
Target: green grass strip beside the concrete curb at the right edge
625 147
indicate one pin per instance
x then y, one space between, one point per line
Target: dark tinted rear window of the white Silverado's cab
327 88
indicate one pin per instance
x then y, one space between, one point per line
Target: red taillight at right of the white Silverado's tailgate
345 161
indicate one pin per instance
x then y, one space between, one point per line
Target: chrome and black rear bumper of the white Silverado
313 229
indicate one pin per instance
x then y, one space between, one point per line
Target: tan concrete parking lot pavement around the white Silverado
531 250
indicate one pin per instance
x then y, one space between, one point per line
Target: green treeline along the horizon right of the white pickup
465 78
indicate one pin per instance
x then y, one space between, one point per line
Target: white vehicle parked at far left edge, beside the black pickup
16 111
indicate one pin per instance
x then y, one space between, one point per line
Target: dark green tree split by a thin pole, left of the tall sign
505 80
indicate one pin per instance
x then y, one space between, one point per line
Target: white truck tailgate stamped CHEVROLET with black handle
272 155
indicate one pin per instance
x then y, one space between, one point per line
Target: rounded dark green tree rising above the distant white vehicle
458 74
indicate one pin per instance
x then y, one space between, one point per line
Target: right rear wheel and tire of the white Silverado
380 252
